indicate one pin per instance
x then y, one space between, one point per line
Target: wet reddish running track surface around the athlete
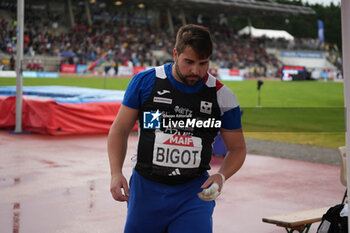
61 184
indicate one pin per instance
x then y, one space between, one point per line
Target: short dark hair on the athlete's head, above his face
196 36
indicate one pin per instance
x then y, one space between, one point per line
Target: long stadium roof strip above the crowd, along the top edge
229 7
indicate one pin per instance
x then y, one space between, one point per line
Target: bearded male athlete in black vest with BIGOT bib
180 109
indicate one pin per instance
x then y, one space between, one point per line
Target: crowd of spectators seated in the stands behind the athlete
136 43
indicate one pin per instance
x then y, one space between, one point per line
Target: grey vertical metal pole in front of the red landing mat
19 49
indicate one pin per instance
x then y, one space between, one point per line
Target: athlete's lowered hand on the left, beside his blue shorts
119 187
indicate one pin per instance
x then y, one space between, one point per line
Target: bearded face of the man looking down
188 68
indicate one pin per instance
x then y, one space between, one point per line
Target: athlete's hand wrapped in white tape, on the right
215 183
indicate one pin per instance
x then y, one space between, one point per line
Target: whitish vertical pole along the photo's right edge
345 9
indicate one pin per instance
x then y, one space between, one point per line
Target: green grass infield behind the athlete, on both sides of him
306 112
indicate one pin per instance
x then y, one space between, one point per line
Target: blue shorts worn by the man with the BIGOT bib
160 208
